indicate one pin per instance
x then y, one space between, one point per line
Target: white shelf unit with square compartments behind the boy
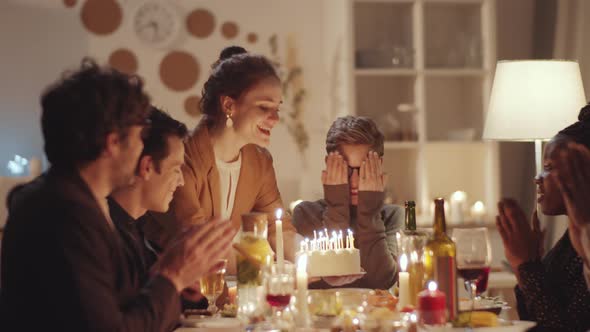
439 56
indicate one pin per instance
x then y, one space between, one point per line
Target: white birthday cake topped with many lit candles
331 256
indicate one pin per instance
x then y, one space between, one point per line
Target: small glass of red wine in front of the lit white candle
279 285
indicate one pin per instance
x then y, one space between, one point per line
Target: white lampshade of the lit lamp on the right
533 99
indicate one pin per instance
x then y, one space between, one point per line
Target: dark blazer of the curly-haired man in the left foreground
64 267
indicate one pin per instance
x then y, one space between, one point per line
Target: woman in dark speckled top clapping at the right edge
551 290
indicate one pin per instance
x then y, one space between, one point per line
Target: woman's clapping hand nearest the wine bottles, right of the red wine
522 243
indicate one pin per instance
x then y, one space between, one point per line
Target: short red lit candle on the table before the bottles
432 305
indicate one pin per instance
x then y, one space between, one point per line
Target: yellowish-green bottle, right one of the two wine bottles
440 259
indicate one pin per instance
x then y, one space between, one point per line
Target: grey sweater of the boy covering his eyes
374 225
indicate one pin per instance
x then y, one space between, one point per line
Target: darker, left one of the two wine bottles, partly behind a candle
412 244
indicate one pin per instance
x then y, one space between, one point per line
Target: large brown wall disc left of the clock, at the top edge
101 17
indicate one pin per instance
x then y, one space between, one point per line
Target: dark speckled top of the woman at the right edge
553 291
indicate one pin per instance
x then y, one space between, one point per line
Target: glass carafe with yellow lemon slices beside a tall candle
253 253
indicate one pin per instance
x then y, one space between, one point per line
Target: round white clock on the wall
156 23
